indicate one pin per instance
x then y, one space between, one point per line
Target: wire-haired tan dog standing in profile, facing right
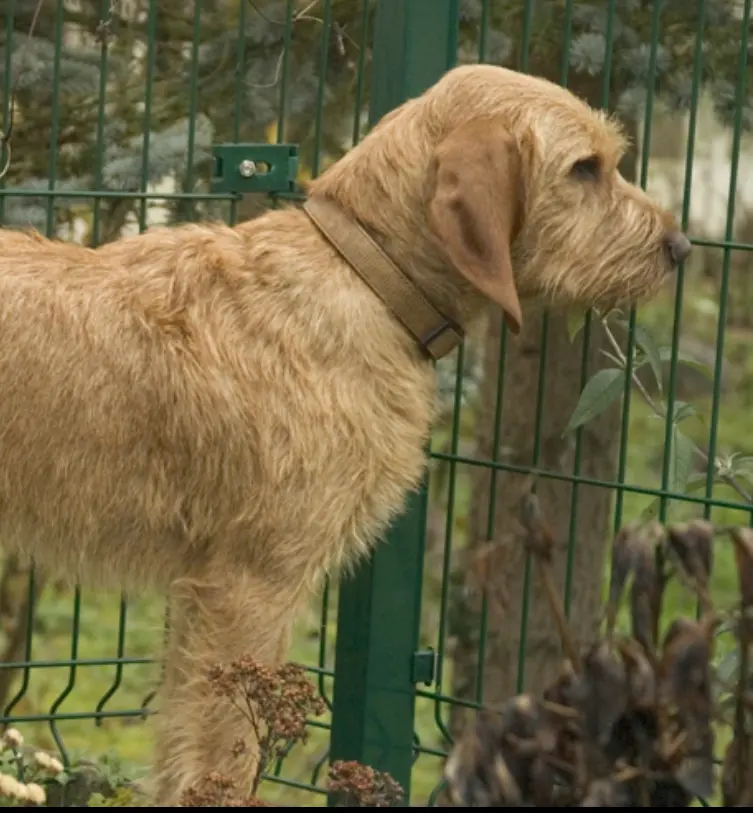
233 412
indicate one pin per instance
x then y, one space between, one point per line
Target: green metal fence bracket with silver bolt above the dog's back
240 169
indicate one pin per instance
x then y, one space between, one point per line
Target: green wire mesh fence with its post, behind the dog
111 111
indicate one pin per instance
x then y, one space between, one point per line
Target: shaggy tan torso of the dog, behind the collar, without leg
181 398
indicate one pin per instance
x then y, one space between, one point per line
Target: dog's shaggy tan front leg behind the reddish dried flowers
213 624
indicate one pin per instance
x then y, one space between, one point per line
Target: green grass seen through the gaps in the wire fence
131 739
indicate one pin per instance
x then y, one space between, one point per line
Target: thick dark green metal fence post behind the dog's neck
415 42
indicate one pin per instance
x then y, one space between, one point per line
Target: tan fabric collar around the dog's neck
436 335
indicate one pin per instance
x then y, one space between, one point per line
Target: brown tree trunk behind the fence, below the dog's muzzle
505 582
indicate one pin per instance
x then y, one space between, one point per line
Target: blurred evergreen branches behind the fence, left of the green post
177 78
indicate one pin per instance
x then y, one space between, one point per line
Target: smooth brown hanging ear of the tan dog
475 206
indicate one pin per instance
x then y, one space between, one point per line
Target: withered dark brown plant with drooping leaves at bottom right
630 723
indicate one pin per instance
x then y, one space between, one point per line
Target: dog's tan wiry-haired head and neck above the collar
499 183
